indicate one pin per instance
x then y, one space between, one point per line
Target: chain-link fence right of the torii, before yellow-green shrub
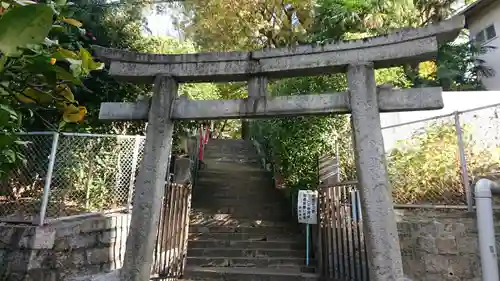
437 160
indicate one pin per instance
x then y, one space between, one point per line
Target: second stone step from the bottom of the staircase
245 262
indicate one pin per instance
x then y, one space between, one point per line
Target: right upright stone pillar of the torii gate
381 234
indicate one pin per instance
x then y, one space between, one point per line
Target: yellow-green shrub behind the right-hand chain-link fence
426 167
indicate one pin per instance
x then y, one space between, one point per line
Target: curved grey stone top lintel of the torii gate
396 48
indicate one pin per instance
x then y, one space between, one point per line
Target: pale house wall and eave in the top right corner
485 18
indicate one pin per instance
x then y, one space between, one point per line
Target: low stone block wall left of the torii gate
63 249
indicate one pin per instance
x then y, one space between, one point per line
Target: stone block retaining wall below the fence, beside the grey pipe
439 245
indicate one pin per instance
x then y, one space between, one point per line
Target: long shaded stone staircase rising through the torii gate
241 228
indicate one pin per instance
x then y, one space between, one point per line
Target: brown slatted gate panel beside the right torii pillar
341 251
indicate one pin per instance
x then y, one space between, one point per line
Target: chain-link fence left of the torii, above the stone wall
68 174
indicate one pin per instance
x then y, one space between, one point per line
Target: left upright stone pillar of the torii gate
150 186
